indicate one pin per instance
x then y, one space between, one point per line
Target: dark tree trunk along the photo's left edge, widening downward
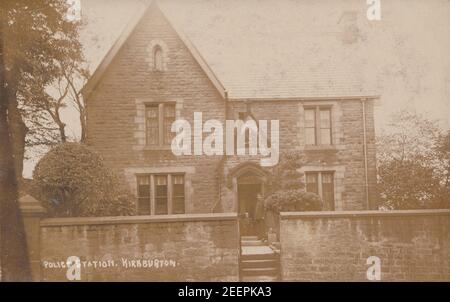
14 265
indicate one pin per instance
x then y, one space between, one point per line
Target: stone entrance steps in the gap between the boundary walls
258 261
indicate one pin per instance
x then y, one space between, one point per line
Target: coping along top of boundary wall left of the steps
74 221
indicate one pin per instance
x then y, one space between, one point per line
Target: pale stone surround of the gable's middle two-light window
140 121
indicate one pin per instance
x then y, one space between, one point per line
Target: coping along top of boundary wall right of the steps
358 214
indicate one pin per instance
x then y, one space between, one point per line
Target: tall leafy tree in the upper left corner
39 42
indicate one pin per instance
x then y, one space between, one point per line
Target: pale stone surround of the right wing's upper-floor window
337 136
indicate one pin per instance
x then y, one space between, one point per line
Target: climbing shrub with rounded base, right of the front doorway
288 192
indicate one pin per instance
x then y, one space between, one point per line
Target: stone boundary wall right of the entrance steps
412 245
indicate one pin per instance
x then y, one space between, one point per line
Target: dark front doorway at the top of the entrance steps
247 198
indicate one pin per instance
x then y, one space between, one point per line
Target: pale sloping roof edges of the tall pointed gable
129 29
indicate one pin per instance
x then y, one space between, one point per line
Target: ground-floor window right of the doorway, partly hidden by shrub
322 183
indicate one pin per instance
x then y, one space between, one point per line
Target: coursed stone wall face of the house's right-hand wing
345 157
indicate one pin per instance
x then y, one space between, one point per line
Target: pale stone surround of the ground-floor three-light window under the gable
188 172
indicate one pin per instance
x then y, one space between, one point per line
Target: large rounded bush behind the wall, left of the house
74 181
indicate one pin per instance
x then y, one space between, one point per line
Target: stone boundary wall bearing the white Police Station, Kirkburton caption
201 247
